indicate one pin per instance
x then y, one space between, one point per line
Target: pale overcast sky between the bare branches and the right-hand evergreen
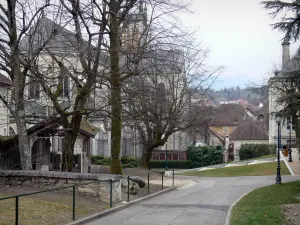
240 37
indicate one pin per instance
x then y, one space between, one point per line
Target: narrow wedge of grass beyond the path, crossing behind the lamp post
263 169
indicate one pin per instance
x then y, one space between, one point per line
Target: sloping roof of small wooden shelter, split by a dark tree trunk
86 128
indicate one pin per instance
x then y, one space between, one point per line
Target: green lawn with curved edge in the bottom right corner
262 206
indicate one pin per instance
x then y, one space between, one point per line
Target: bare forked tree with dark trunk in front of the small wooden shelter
71 65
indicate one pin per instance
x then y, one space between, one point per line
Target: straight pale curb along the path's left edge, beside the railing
93 217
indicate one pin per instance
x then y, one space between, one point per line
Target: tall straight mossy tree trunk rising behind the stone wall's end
116 107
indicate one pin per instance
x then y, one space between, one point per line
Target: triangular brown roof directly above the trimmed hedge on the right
248 130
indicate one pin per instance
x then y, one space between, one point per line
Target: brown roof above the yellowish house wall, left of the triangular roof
228 115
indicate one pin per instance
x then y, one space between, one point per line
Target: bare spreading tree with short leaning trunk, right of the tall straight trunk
159 103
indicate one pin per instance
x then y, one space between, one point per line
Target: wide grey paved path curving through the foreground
206 203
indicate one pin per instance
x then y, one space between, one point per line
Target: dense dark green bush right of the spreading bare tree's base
205 155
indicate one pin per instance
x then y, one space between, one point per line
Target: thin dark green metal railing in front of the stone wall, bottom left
17 197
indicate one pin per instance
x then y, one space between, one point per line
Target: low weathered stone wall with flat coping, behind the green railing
93 184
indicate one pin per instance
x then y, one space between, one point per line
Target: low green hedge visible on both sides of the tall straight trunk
126 161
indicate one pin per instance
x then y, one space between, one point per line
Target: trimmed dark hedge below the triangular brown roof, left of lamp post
250 151
